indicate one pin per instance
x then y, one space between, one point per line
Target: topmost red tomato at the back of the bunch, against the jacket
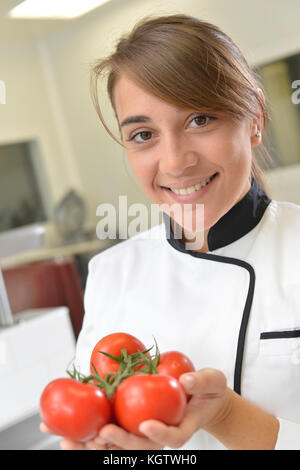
113 344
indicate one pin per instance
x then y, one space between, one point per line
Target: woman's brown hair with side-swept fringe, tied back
189 63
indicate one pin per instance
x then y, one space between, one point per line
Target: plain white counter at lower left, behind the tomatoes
33 352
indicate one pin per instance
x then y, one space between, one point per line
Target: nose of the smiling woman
175 156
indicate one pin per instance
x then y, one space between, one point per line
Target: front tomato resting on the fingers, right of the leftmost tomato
146 396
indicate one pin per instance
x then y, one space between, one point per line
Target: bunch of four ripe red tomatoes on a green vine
126 386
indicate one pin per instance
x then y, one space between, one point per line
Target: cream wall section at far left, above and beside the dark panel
28 113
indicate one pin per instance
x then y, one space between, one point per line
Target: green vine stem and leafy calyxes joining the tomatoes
128 363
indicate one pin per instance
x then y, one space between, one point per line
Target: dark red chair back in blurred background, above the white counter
52 283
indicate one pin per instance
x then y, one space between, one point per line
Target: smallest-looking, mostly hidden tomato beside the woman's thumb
174 363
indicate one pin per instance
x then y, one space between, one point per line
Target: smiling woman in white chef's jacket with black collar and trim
190 113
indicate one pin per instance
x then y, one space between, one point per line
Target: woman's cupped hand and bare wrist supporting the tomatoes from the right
235 422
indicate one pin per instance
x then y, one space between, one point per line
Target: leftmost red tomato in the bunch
73 409
